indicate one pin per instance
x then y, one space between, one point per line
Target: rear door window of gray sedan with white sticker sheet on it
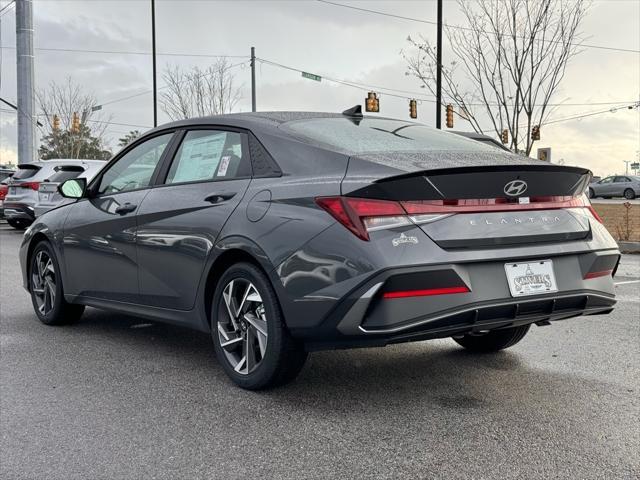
209 155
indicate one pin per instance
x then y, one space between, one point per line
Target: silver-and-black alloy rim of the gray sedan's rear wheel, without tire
242 326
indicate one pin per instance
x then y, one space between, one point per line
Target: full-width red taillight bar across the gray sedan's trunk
362 215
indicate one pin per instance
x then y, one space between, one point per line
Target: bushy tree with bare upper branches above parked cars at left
62 101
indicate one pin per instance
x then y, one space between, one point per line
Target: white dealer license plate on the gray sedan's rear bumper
531 278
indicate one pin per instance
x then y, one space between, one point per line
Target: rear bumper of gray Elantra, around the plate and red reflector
365 318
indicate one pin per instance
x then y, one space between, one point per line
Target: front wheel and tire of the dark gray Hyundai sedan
45 286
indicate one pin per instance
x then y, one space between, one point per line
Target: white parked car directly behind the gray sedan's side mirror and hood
48 195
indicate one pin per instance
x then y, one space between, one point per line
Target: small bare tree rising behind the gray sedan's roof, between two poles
199 92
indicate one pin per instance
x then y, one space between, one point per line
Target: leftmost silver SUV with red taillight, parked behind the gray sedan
22 196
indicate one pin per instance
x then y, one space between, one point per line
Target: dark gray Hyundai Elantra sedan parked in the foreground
288 232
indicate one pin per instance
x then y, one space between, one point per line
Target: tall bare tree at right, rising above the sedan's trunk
513 53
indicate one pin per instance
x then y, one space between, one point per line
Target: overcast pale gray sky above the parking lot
316 37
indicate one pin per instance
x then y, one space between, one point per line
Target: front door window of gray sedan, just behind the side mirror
136 167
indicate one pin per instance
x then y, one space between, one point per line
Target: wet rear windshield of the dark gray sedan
373 135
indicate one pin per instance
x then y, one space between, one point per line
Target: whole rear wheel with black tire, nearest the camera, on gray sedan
247 325
